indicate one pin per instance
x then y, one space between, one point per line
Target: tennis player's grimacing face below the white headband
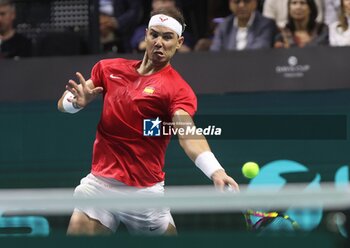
161 44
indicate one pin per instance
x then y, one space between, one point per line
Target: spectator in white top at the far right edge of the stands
339 31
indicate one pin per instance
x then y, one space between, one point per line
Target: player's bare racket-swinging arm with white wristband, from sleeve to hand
198 150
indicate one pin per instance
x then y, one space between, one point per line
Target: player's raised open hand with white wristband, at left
79 95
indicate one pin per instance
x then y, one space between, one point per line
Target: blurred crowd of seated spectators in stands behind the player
213 25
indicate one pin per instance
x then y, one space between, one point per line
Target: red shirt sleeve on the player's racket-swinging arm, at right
184 99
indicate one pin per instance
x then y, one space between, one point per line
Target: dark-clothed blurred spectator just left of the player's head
118 19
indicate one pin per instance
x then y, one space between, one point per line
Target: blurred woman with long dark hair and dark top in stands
302 29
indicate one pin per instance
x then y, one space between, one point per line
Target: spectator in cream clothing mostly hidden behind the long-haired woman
278 11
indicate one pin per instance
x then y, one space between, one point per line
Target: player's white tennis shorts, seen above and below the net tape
147 221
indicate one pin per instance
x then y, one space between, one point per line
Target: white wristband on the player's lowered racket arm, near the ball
207 162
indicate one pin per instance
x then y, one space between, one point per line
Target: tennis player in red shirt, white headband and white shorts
124 159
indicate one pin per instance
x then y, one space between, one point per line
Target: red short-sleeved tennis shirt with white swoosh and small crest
120 149
